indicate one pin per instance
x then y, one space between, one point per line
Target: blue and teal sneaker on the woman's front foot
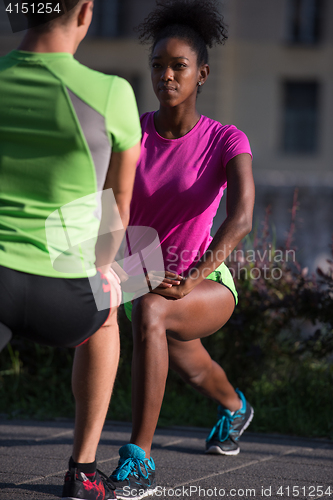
134 477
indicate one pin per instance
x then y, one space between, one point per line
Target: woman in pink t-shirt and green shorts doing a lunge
186 162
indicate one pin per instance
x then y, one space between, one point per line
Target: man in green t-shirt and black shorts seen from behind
66 132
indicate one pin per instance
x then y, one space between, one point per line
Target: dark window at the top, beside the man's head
106 19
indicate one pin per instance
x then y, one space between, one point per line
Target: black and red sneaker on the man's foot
79 486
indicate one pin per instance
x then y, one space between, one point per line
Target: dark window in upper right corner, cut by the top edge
304 21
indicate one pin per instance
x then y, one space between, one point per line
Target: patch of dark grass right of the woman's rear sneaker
299 402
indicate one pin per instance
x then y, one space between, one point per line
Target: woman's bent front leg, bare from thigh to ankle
199 314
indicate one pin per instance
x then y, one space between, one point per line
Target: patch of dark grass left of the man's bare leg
35 382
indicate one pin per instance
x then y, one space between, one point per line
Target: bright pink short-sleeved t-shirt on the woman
179 184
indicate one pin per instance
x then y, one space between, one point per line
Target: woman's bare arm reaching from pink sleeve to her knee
238 223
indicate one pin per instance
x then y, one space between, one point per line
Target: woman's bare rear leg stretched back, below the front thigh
194 364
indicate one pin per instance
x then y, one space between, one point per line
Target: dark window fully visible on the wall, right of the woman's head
300 117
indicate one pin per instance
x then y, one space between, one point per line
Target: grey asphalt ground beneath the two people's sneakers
34 457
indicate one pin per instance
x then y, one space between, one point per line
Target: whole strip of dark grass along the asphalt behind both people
294 399
